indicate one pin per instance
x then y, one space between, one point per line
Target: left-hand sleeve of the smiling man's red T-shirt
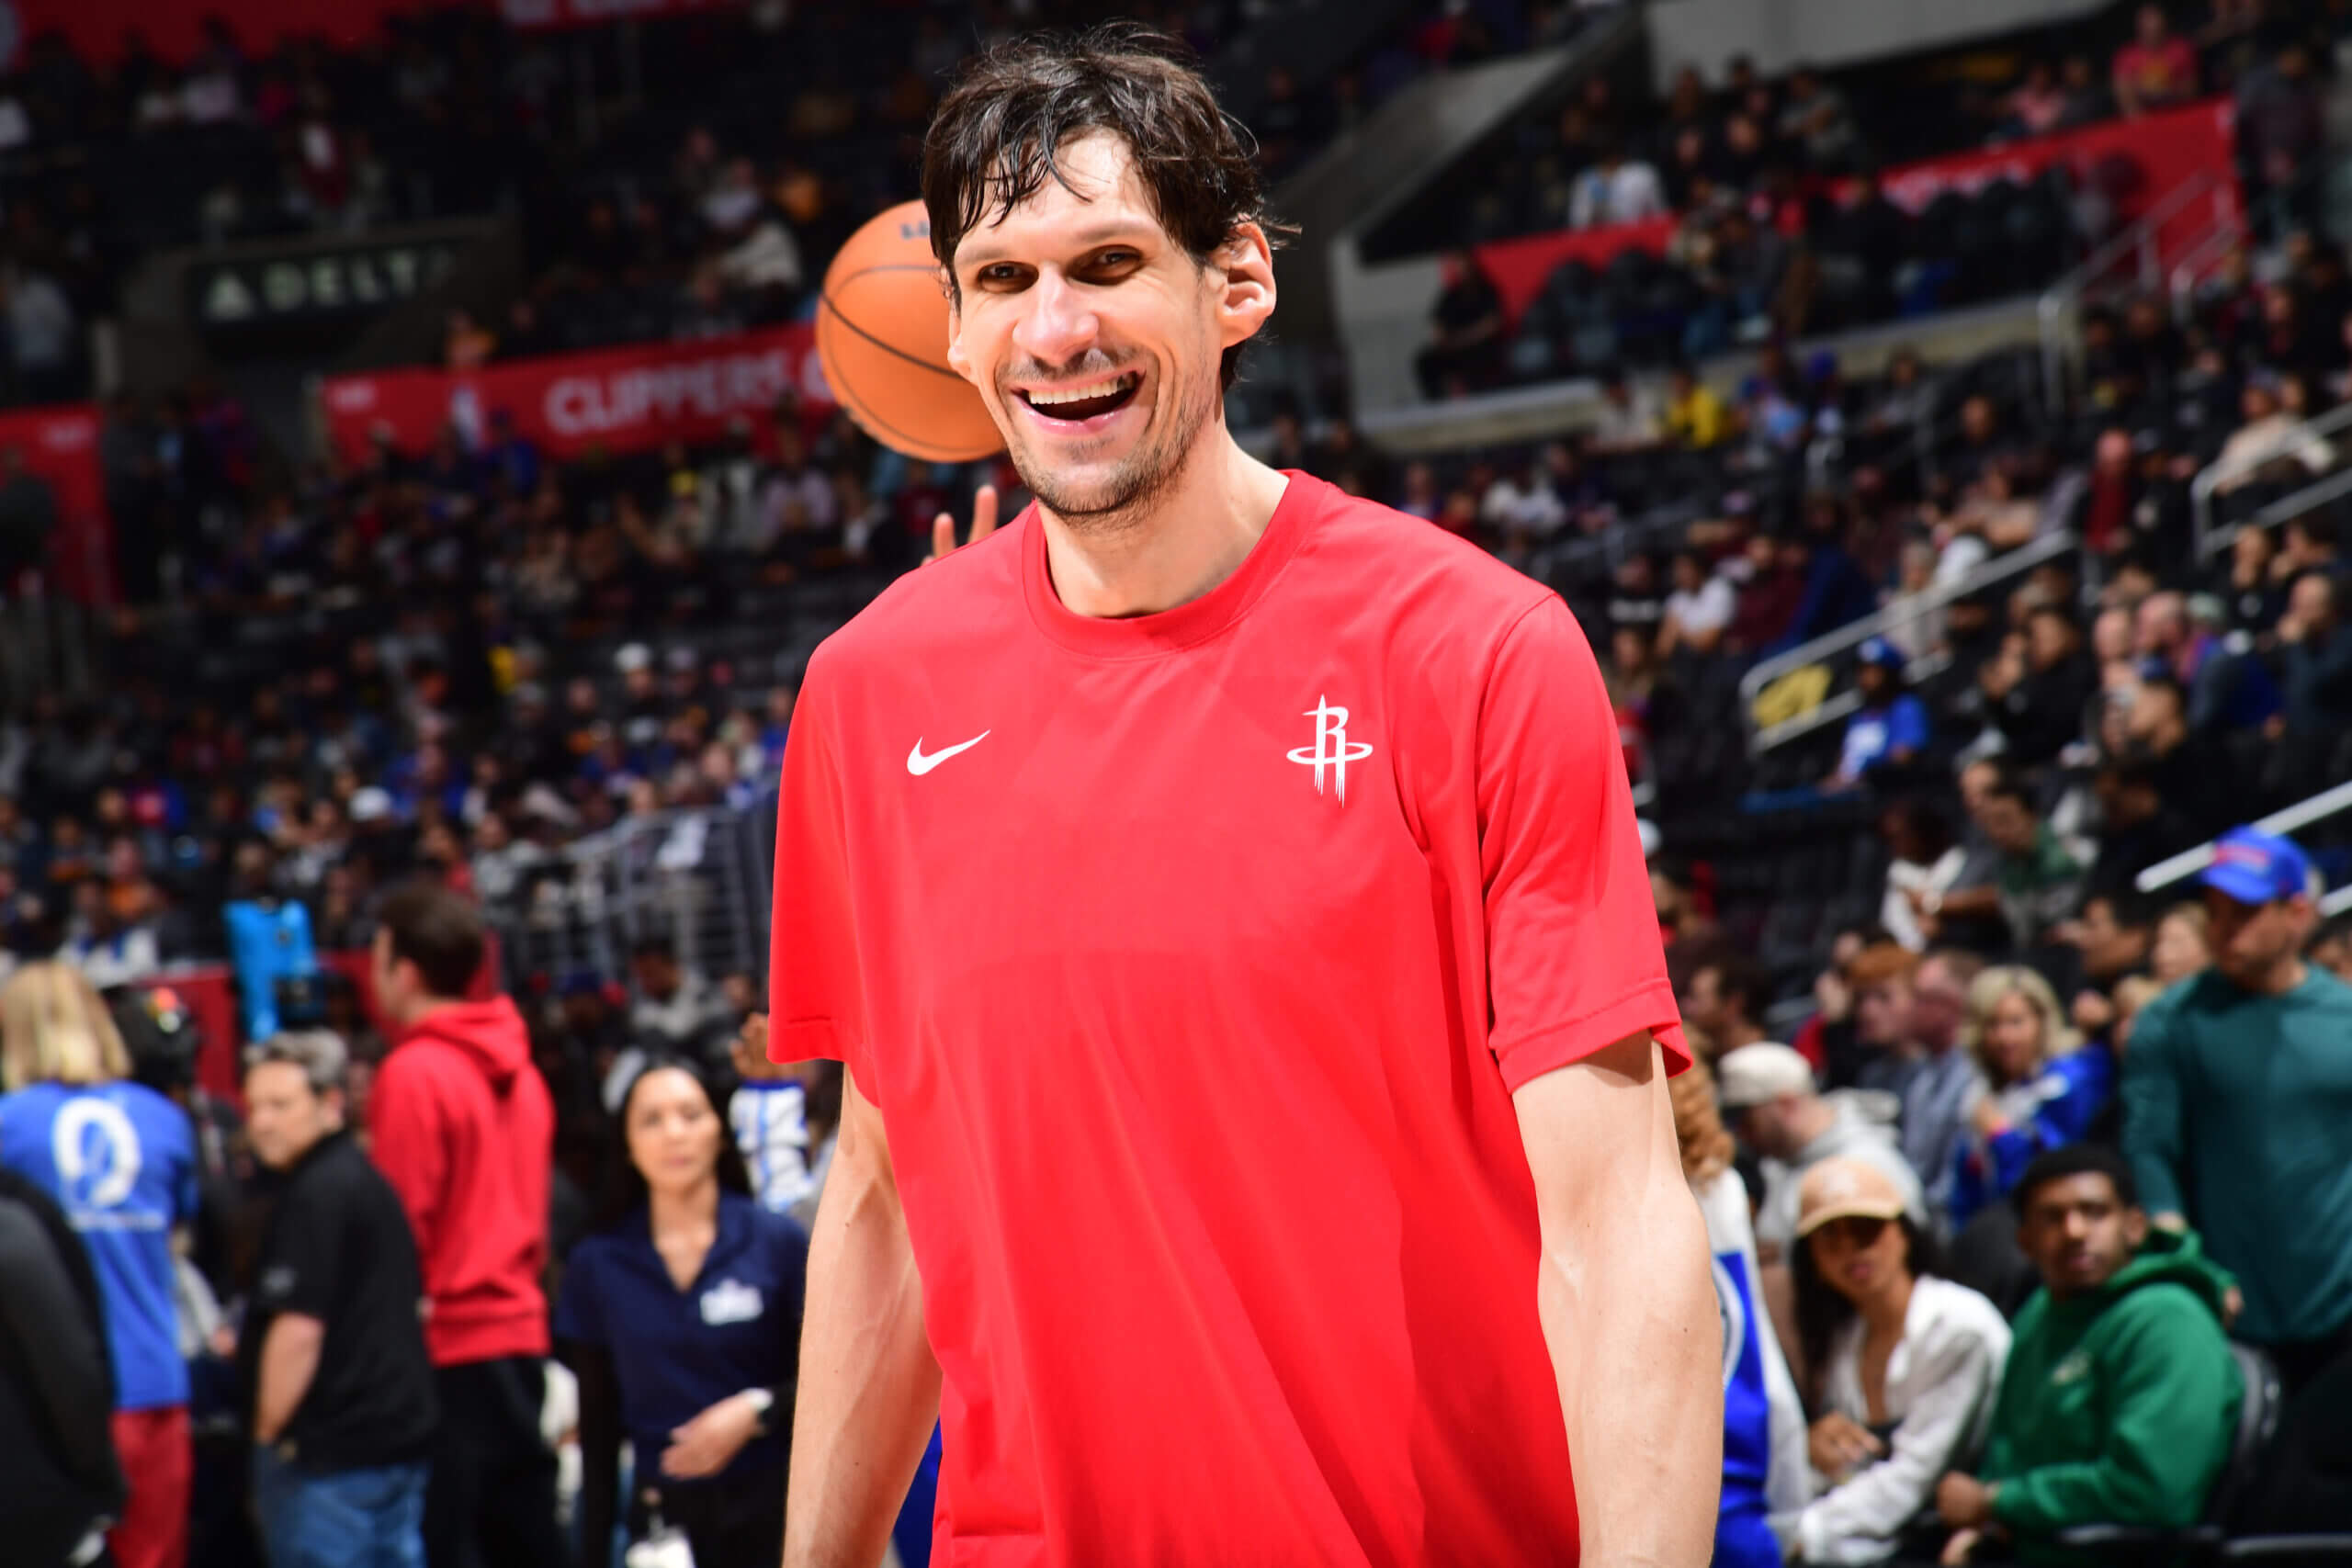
817 1000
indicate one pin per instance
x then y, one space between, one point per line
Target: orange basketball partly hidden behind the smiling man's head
883 340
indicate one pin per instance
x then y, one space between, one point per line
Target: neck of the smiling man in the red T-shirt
1196 535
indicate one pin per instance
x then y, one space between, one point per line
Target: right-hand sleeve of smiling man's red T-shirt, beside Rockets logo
1572 932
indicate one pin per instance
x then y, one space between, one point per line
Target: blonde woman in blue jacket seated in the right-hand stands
2043 1087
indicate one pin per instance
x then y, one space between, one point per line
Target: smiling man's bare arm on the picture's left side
869 1383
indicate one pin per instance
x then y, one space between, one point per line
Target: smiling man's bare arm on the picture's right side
1629 1308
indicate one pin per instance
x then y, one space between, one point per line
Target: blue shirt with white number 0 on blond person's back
121 1162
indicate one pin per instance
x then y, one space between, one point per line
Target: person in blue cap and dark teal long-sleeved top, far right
2238 1108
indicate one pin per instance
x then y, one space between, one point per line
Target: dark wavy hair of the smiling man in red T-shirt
998 133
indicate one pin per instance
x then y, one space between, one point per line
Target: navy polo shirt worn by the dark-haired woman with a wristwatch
679 1353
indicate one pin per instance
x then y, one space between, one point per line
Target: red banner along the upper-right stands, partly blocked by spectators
2134 161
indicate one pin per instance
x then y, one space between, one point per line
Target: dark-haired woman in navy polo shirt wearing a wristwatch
681 1315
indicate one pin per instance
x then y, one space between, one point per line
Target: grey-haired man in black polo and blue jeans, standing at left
333 1348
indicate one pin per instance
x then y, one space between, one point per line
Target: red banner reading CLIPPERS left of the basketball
615 401
